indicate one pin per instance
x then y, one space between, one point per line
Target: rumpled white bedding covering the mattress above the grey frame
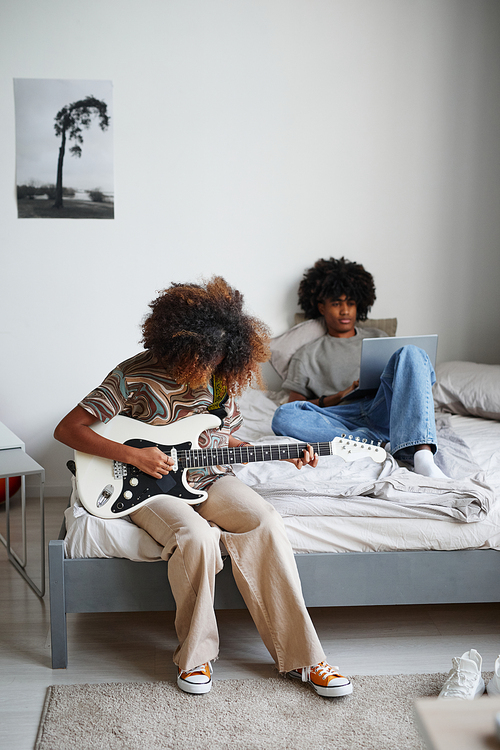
323 521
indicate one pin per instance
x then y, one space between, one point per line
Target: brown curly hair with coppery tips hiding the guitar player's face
199 329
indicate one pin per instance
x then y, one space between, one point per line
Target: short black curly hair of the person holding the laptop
329 279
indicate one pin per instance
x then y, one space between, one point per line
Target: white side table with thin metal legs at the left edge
15 462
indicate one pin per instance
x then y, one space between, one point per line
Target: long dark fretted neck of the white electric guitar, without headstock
247 454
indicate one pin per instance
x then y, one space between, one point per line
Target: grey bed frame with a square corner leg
343 579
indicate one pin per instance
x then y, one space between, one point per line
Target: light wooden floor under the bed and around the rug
138 647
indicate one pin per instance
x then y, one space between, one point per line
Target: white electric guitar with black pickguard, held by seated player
110 489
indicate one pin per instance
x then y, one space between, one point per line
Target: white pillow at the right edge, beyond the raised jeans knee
469 389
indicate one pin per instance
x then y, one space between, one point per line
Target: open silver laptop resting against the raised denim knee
375 354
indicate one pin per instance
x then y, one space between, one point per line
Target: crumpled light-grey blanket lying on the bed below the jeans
388 490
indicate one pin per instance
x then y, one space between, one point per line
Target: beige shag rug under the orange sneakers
261 714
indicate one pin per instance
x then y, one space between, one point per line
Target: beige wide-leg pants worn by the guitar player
264 569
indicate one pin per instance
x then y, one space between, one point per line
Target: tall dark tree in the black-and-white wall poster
69 123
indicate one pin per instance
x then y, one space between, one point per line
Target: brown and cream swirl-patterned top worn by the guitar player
141 388
